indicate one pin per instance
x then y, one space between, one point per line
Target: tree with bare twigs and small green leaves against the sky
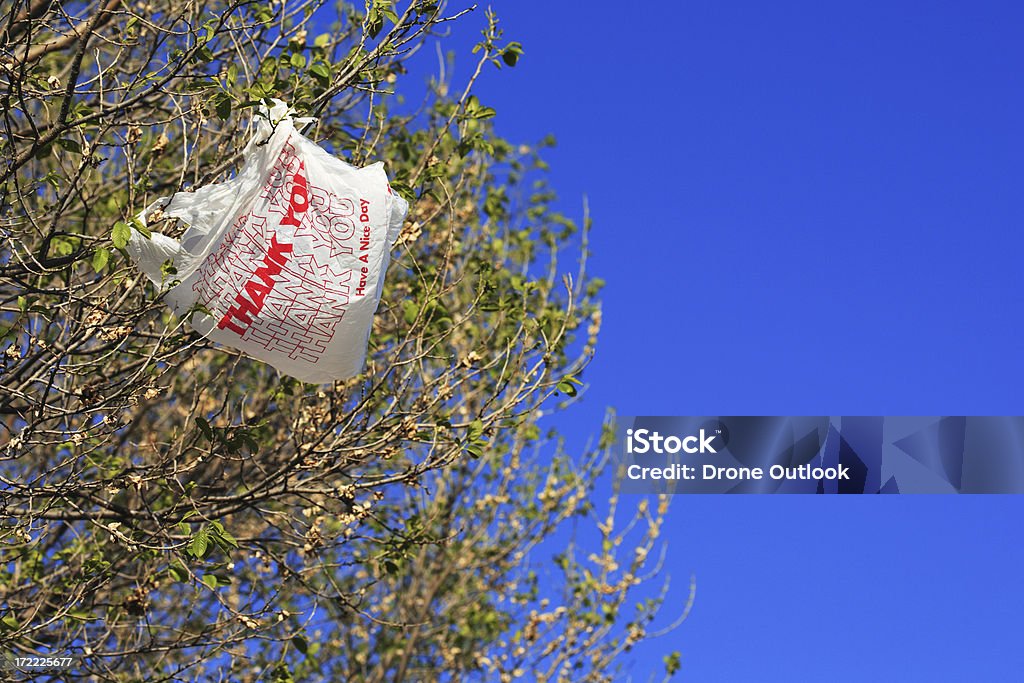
177 511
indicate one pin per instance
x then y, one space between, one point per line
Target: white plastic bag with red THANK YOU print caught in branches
286 262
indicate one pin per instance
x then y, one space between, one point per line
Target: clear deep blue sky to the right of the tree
802 208
